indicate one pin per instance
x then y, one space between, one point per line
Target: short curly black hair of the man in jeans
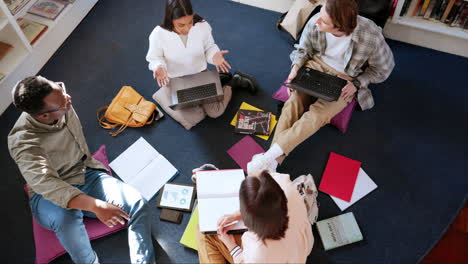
29 94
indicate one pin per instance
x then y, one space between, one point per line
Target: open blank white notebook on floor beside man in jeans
142 167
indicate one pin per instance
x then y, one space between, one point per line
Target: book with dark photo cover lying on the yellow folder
253 122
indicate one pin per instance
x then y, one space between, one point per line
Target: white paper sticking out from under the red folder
364 185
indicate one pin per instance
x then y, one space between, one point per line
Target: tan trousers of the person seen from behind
212 250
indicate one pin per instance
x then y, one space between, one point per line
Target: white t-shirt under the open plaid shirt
336 48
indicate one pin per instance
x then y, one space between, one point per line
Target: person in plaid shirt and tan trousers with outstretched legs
339 42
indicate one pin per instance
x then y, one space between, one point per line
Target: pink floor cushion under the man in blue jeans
48 246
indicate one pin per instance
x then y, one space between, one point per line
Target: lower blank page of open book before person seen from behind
212 209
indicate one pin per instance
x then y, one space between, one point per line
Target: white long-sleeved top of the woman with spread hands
166 49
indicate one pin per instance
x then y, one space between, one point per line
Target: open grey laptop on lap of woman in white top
195 89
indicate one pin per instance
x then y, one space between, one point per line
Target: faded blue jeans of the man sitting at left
70 230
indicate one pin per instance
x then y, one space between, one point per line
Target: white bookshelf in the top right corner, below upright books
426 33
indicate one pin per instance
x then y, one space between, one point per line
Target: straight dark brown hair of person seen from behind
263 207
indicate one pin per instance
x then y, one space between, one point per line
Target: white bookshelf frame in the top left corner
26 60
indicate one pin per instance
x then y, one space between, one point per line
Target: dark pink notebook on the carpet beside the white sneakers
243 151
